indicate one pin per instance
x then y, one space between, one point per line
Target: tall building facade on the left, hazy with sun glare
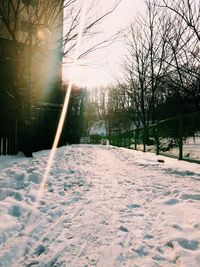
30 62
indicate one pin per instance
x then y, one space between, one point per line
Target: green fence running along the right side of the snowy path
177 137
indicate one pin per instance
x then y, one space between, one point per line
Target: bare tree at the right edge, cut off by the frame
183 41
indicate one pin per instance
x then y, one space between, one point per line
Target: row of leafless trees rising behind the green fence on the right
161 67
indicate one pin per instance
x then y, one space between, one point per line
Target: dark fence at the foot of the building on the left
16 135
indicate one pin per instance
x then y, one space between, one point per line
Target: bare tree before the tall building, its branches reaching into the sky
38 25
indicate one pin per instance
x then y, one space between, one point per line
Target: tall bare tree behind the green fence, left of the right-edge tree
146 62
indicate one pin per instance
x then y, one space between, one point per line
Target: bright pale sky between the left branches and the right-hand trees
103 66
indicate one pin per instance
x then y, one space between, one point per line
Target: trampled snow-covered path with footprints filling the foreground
102 206
